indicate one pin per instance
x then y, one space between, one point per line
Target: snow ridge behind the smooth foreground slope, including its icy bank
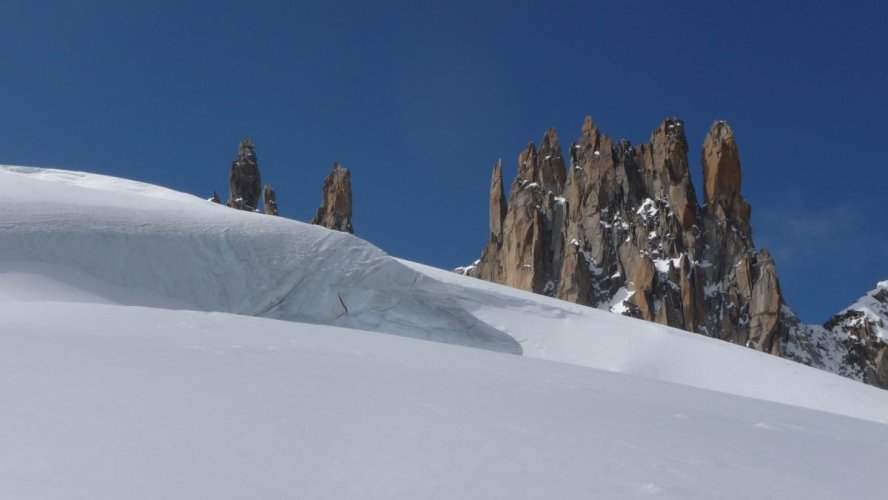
69 236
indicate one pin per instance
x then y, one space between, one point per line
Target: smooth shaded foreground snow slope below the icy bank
108 402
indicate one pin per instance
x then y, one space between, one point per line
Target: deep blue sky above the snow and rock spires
420 100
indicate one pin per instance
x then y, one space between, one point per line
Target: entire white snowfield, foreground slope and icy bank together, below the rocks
157 345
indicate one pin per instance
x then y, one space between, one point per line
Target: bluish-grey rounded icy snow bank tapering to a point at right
200 255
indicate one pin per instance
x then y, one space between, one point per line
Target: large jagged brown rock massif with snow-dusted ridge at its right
619 227
